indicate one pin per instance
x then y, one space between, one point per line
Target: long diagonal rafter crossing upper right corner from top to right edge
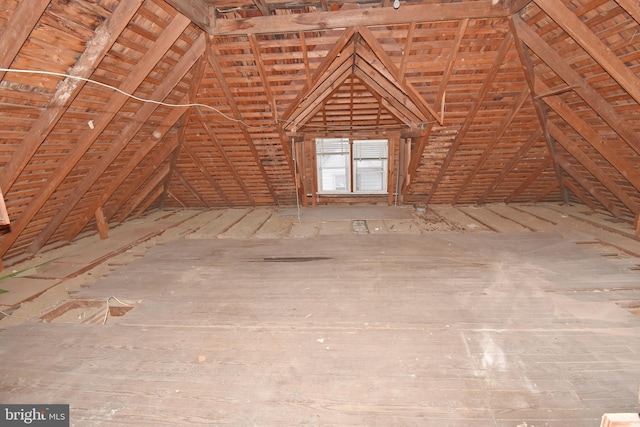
590 42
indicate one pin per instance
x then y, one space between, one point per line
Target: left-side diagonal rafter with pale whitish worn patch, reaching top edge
68 89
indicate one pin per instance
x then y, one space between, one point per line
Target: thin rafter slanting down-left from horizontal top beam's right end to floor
486 86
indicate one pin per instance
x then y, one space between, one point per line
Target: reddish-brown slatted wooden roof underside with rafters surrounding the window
507 101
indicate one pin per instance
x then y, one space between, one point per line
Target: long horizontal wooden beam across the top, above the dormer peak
431 12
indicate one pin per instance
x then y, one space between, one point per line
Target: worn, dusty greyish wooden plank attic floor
406 327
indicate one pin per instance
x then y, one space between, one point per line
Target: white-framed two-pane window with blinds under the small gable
352 166
